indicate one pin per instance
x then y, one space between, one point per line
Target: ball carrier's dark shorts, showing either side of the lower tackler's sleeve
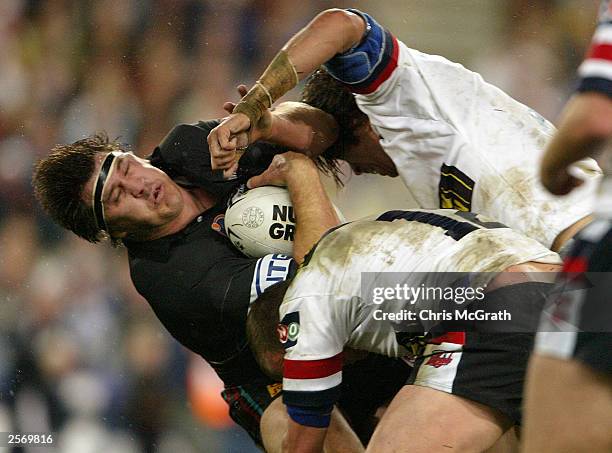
366 385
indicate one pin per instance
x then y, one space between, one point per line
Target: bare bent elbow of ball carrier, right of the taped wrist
303 128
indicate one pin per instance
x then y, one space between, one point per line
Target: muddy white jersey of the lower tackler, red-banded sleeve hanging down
324 309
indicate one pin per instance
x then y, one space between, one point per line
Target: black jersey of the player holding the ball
198 284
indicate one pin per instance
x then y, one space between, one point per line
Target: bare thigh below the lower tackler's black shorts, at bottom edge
425 420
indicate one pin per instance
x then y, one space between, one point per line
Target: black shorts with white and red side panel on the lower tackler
486 365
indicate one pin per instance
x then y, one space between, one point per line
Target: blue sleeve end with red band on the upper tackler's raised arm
364 67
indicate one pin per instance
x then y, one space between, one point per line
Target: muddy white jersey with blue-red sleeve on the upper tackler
457 141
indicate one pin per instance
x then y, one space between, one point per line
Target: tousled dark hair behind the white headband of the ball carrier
59 180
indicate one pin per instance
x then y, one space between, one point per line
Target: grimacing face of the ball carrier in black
137 197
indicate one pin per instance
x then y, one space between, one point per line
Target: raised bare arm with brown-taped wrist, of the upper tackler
331 32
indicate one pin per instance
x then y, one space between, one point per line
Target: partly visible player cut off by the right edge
569 387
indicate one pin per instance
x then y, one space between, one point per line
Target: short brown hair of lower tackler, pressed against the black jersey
261 328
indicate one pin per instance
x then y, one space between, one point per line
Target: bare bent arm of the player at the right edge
586 124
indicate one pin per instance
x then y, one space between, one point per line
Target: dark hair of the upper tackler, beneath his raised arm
328 94
